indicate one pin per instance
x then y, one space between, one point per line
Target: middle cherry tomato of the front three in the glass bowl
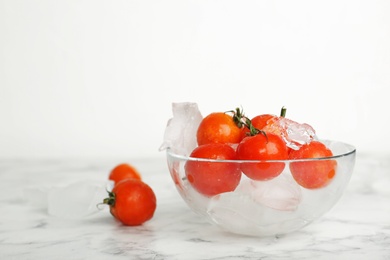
262 147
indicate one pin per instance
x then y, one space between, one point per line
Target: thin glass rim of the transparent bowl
351 150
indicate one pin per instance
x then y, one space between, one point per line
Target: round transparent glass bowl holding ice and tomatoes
265 208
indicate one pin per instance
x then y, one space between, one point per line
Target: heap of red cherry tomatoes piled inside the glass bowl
227 137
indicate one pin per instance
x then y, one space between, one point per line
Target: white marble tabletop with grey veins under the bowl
358 227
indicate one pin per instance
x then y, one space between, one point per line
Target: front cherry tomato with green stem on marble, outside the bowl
132 202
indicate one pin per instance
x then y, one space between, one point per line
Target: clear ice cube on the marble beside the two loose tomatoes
76 200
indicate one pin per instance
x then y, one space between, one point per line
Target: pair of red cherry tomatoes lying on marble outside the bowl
131 201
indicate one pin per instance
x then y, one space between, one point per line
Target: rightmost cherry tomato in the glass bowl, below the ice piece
313 174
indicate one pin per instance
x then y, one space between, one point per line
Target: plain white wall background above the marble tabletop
96 78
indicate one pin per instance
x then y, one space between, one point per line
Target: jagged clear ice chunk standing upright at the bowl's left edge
180 132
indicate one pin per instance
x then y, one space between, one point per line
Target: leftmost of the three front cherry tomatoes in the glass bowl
211 178
